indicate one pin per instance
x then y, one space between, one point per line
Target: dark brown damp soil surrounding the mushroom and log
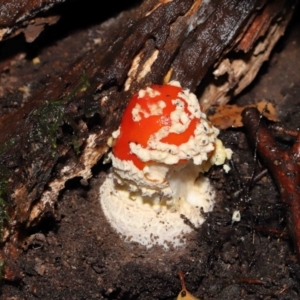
79 256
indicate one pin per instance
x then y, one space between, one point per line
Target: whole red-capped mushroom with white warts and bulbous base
160 152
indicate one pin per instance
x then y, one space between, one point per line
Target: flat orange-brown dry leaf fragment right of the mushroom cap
226 116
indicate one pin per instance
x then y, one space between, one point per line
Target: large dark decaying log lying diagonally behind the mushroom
61 132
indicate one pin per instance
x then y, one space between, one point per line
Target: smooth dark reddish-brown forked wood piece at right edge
284 166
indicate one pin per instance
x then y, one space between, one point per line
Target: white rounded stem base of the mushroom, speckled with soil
149 223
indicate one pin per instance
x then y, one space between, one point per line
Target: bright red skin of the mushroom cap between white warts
139 130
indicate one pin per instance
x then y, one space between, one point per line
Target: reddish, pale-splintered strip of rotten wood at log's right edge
239 67
